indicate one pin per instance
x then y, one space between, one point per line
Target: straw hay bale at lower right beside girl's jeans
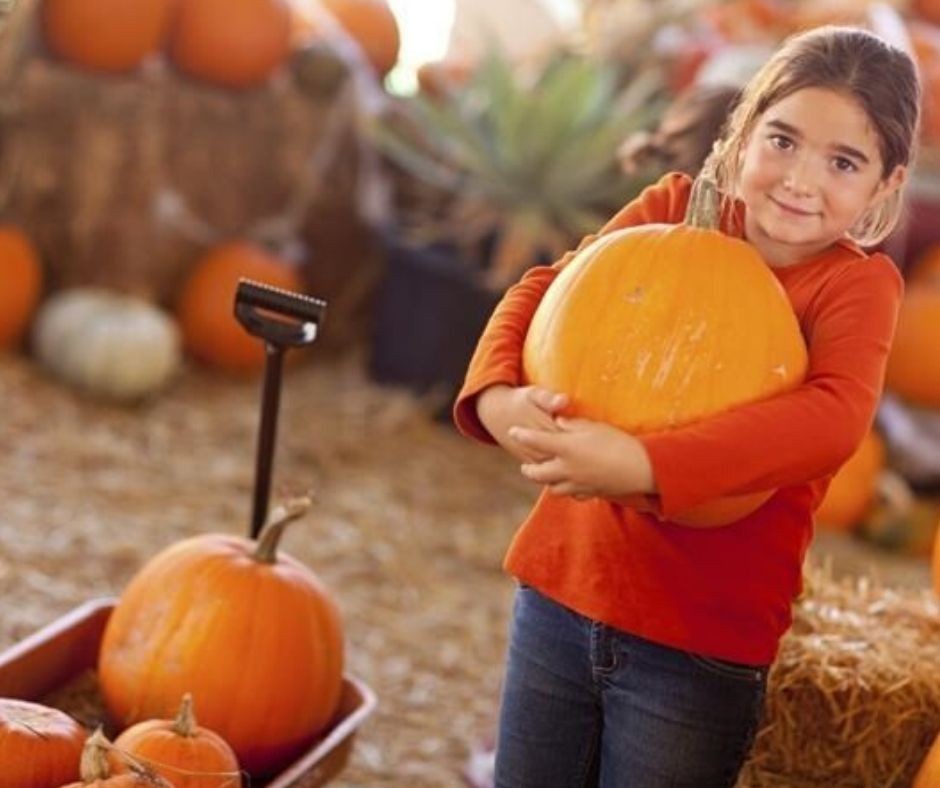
854 697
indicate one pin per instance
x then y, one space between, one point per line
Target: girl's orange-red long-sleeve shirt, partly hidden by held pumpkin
723 592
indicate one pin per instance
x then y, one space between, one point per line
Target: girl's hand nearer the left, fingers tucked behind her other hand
500 407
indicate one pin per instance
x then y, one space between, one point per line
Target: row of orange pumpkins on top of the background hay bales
236 45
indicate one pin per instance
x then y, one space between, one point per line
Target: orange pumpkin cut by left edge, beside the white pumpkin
21 275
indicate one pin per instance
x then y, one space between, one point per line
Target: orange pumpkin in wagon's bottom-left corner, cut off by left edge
40 747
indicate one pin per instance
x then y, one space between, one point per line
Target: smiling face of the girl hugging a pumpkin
811 168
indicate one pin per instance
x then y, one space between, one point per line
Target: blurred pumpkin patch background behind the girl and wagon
406 161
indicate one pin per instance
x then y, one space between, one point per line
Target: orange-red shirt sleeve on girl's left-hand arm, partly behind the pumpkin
498 355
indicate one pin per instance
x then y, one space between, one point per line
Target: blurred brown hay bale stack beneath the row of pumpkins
124 180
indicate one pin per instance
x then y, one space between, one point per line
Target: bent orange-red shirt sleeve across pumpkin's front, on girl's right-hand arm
808 432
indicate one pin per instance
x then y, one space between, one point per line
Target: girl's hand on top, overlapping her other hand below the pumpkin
586 459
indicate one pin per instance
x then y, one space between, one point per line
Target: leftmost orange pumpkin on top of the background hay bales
106 35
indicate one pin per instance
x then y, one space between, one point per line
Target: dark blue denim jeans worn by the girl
585 704
